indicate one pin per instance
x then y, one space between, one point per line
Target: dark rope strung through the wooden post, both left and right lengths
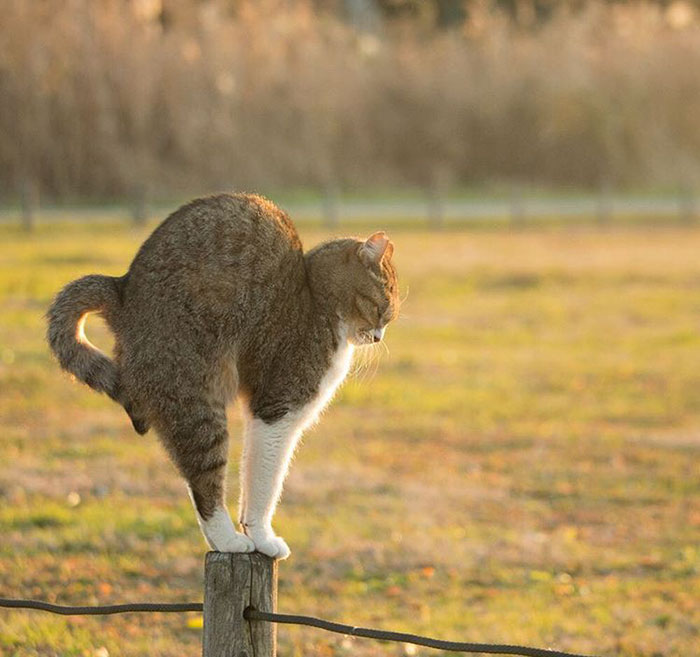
251 614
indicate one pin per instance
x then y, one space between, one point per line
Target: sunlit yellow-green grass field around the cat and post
521 466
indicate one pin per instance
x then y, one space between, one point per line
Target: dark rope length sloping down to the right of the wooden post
382 635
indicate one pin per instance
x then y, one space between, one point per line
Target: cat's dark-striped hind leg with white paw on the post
198 444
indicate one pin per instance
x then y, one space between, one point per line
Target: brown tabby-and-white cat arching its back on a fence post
221 303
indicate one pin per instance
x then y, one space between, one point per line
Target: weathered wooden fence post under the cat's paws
233 582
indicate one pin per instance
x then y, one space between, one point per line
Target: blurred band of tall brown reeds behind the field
132 97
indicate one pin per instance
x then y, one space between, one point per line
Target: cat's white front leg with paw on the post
266 454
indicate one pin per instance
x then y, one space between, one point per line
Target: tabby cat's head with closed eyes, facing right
373 300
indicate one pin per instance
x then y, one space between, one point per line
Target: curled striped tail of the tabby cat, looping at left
66 337
